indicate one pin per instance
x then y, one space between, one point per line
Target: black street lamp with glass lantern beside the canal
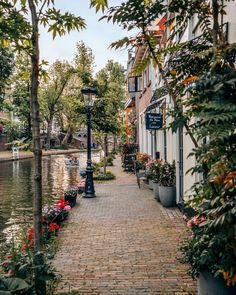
89 95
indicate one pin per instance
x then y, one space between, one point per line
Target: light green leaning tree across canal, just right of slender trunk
51 93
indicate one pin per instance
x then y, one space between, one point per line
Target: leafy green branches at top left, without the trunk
16 29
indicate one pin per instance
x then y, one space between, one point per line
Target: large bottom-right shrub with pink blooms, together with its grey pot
210 253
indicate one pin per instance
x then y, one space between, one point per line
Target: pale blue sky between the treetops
98 36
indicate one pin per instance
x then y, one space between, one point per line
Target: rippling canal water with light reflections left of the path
16 184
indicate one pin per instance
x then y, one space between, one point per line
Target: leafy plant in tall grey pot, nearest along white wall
167 179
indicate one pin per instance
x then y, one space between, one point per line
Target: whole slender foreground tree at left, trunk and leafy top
25 36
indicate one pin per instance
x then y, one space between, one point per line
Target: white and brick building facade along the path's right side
153 97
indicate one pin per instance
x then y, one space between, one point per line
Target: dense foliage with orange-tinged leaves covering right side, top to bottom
208 112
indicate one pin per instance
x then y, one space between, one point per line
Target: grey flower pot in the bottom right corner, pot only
209 285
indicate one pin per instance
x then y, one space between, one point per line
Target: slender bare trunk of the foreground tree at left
35 119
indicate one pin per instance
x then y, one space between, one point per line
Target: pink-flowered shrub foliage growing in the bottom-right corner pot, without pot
209 248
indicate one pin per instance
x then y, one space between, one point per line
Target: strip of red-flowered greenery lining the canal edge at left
19 274
